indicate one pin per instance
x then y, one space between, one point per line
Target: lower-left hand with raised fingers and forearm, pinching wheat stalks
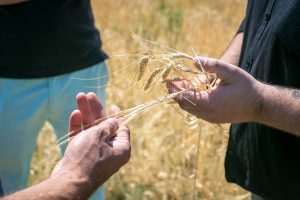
92 156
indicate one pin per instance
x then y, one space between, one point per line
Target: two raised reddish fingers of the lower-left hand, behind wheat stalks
90 107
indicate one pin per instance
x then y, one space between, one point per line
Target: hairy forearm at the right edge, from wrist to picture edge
280 108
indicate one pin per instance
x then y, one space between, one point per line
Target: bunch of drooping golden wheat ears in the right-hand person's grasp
170 64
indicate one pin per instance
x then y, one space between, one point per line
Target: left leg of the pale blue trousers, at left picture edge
23 110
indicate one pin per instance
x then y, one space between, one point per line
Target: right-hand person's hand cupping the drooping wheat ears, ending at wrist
234 98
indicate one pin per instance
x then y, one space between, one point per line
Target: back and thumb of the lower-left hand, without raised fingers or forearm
97 153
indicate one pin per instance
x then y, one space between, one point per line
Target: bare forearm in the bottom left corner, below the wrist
64 186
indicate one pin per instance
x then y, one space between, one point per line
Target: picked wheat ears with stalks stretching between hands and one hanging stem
169 66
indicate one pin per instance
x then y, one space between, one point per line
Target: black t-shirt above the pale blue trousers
42 38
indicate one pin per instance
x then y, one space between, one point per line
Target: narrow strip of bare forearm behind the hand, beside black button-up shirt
232 53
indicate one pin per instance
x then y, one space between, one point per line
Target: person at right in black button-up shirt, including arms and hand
261 99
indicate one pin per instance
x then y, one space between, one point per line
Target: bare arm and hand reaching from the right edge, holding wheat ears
239 97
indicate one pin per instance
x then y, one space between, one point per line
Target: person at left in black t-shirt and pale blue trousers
45 46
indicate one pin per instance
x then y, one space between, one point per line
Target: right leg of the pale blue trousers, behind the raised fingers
63 90
